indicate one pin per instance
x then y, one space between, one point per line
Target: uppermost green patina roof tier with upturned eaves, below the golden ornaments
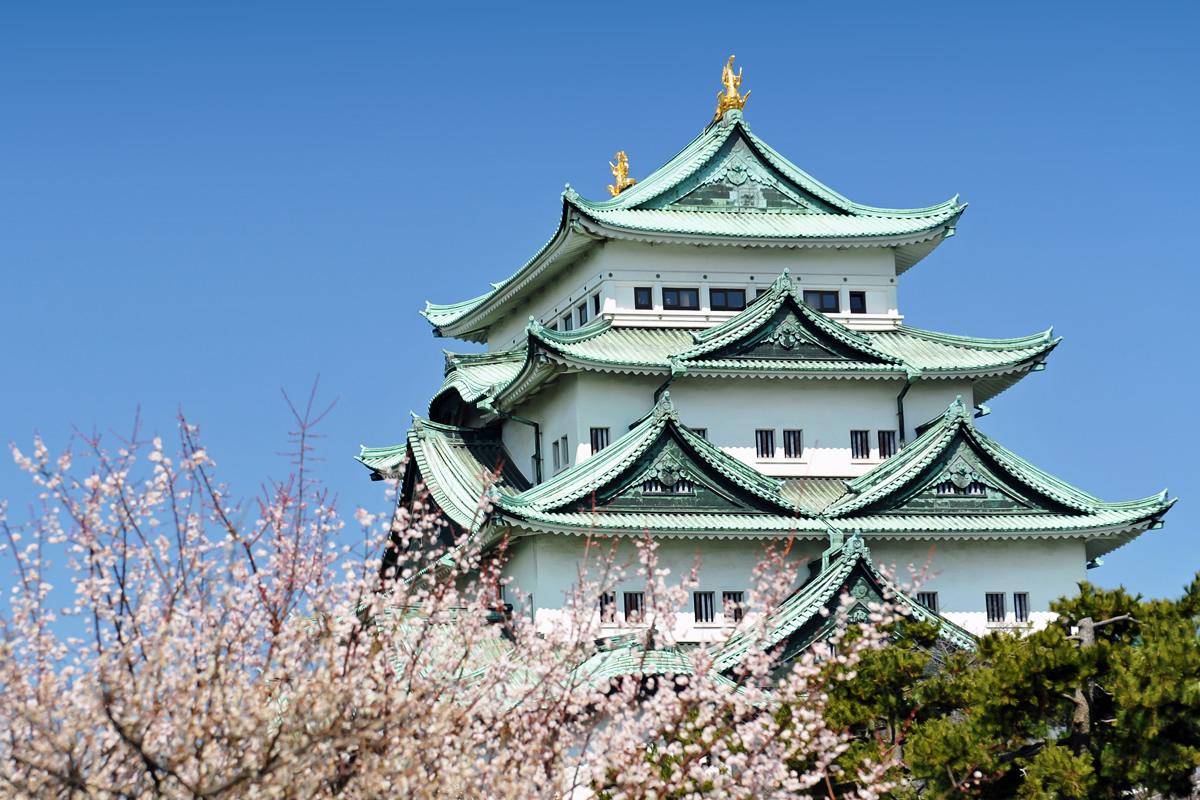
682 202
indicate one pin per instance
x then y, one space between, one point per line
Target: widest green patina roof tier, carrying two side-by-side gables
1003 497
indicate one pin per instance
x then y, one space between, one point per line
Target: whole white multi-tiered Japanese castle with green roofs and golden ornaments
716 357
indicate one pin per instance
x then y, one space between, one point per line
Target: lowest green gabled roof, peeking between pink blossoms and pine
799 623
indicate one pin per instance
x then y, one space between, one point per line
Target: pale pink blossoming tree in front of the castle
214 649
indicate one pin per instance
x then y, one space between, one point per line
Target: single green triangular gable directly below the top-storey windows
781 327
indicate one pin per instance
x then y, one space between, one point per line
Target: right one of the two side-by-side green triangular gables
952 468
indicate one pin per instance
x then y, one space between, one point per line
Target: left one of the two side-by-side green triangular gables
658 467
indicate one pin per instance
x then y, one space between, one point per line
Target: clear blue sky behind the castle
205 202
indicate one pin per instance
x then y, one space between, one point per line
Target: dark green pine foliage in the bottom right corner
1105 703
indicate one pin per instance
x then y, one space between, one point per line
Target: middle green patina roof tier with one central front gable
777 335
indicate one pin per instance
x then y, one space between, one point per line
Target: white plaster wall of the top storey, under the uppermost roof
615 268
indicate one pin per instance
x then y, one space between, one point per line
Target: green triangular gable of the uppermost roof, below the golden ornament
737 179
